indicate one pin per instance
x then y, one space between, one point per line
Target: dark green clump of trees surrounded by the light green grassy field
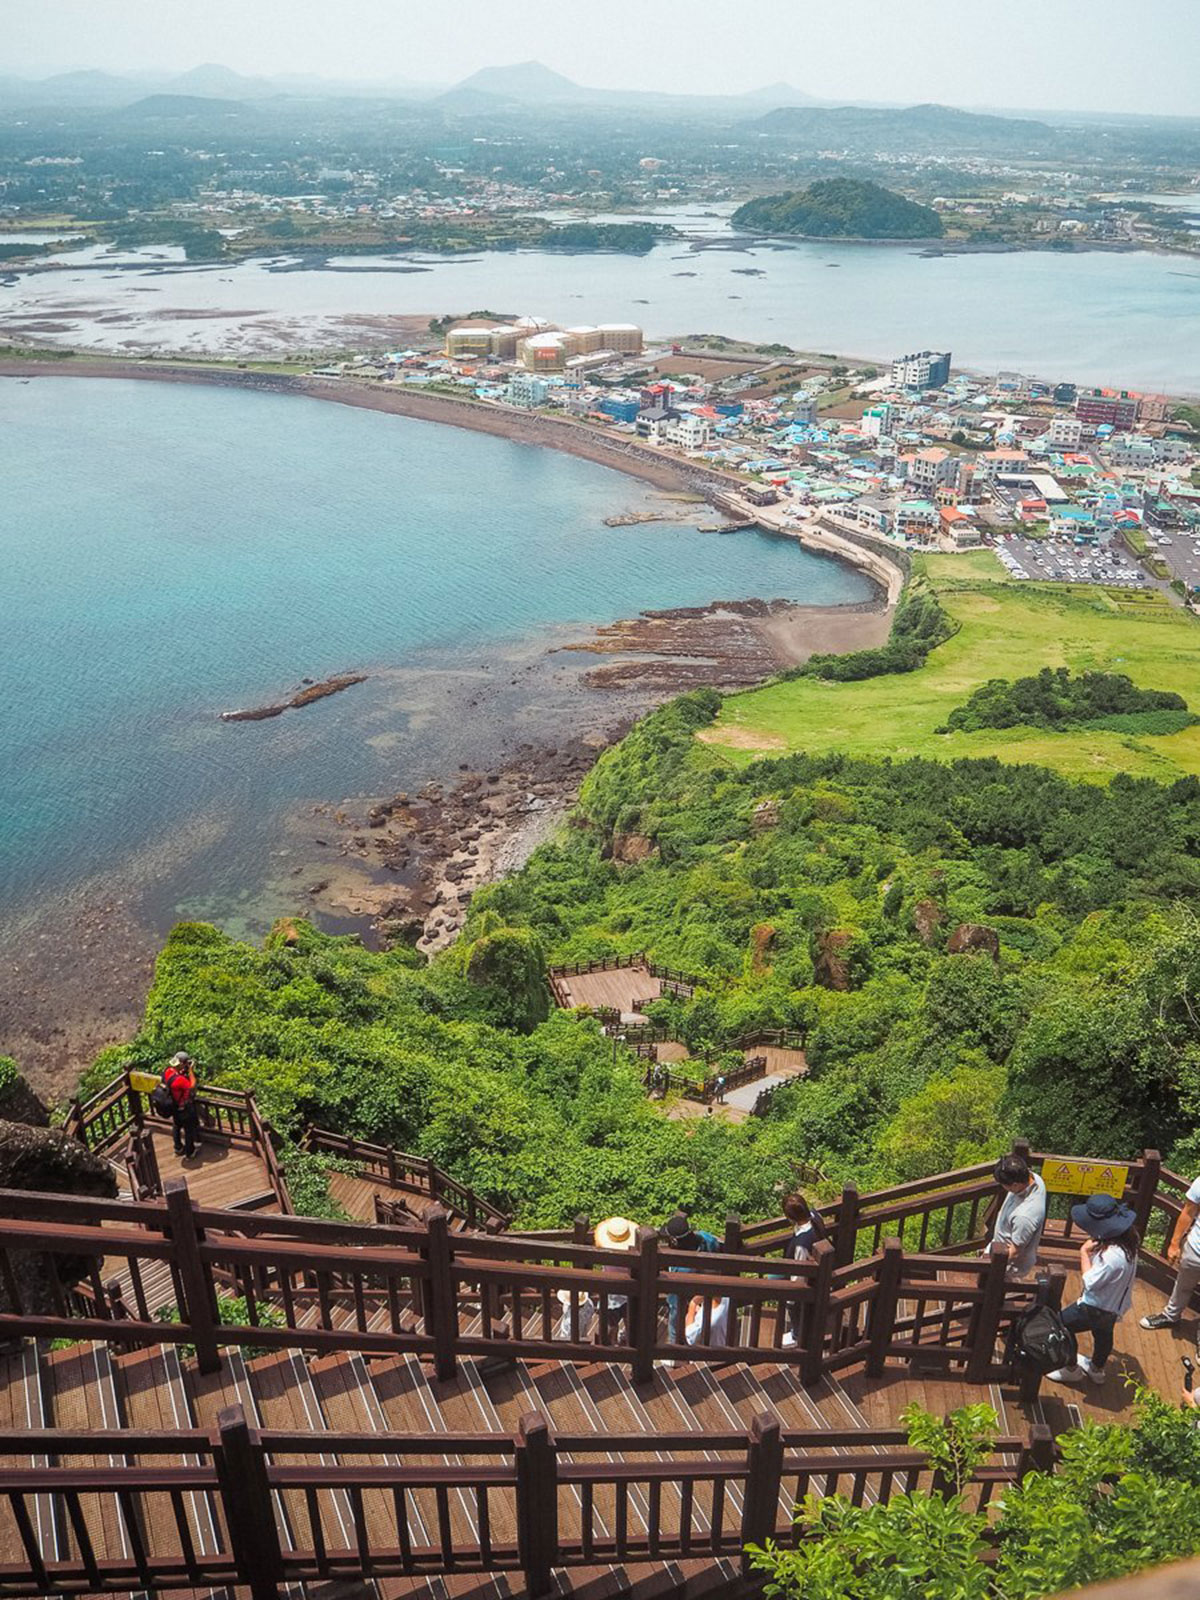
1057 700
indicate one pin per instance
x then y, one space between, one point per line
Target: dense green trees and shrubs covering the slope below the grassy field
810 892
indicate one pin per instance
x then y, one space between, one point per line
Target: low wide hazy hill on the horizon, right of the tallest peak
921 127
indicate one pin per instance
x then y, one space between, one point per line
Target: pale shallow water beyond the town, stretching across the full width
1110 318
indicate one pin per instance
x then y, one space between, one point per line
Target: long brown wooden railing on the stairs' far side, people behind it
426 1292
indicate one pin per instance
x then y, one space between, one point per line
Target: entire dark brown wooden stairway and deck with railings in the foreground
442 1407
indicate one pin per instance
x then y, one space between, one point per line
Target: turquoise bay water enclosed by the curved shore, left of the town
172 551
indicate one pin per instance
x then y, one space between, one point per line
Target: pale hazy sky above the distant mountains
1090 55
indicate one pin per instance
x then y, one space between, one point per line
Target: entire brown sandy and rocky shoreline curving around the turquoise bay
410 876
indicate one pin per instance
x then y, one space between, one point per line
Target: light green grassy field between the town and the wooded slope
1007 631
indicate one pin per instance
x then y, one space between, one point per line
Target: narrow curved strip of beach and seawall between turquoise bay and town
879 562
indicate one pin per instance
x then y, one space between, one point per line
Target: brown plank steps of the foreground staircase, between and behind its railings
385 1407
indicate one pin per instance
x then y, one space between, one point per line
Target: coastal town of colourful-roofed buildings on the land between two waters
1068 484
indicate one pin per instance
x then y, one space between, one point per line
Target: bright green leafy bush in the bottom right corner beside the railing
1122 1498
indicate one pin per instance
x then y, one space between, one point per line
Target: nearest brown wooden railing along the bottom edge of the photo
428 1505
